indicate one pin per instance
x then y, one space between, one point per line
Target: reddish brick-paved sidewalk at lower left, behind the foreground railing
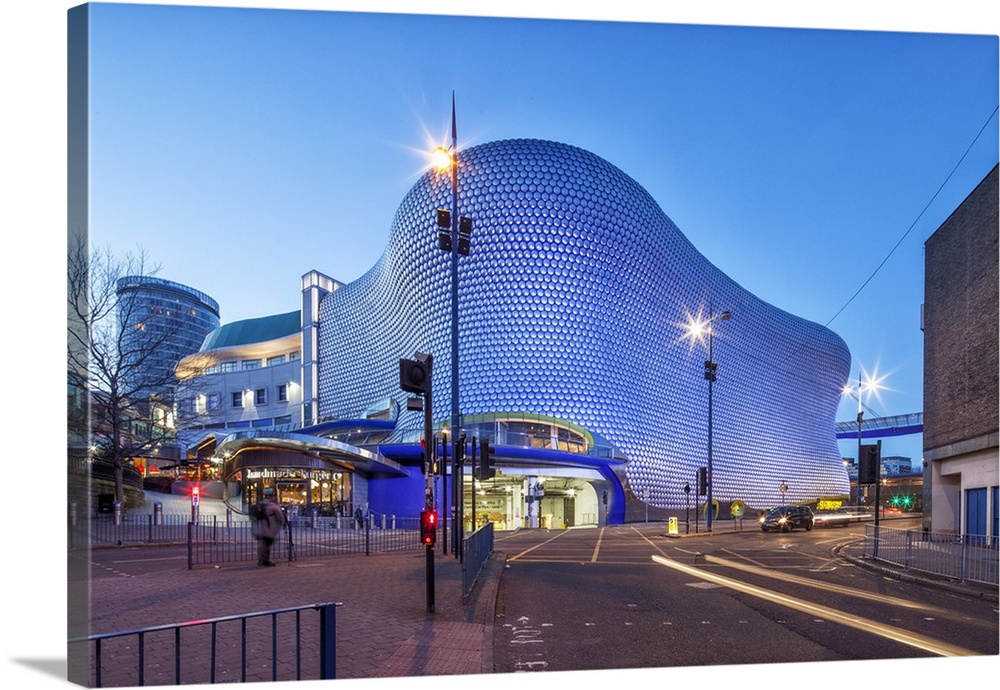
383 629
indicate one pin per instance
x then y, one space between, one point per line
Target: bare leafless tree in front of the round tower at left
114 342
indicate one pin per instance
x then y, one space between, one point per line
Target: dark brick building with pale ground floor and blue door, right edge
961 393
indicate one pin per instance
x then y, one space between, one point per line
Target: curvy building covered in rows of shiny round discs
575 349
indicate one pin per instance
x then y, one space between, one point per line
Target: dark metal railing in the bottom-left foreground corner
253 643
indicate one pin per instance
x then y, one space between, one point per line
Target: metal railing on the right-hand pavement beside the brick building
960 557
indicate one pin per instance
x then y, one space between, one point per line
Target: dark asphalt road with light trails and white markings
632 597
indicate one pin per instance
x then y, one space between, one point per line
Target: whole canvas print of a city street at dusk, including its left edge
415 346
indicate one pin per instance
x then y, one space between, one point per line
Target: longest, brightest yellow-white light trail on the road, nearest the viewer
887 631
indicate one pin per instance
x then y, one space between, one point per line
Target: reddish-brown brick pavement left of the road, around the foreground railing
384 628
